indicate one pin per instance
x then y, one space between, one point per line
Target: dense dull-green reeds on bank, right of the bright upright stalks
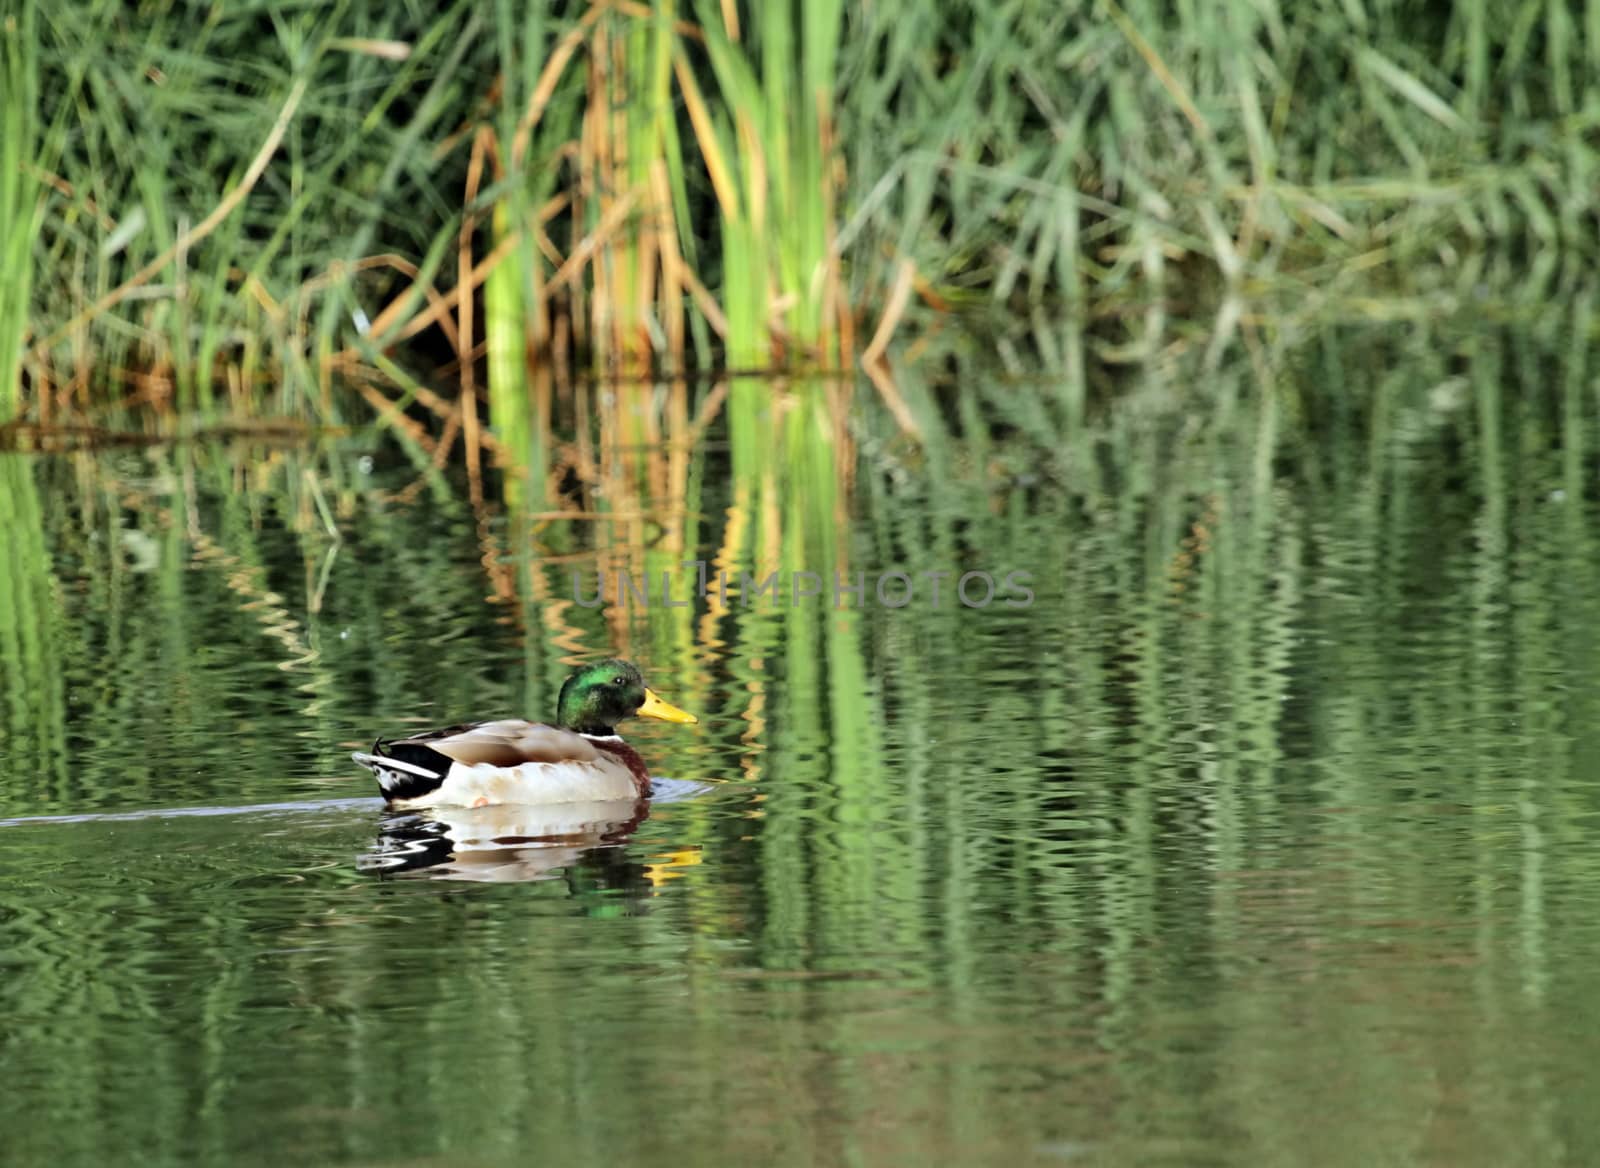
1124 151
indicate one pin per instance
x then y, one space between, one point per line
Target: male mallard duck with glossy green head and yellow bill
582 758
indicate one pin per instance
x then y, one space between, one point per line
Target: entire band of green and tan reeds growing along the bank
241 212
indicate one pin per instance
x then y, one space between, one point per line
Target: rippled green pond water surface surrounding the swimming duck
1268 834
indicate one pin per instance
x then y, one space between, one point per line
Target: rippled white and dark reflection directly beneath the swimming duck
513 844
